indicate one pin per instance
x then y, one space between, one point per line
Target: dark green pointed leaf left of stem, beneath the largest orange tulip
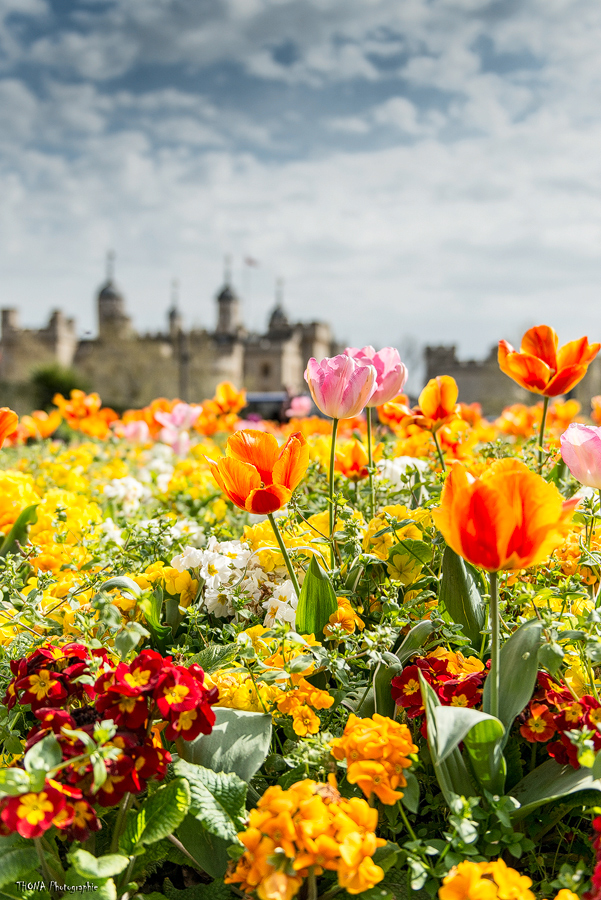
460 595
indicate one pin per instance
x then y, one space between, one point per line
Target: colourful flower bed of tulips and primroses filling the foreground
317 659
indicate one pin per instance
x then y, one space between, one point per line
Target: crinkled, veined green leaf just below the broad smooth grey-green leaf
218 799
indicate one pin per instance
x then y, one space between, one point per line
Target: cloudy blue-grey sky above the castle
425 169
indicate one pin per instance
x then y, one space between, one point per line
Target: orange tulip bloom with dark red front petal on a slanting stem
256 474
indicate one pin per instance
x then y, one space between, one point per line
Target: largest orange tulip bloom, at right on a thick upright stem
510 518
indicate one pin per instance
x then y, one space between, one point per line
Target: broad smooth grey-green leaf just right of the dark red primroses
239 743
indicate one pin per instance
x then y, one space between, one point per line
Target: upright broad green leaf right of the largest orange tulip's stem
518 667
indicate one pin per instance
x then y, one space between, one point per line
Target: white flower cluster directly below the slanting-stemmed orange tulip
230 569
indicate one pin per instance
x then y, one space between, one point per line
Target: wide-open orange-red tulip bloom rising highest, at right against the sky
541 367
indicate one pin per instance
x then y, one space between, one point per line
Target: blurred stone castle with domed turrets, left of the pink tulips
130 369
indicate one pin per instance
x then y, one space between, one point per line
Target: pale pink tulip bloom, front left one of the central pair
340 386
